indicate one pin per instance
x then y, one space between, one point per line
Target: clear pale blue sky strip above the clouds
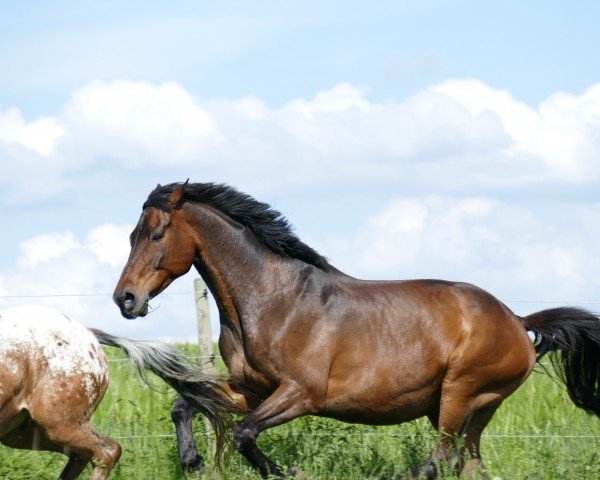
283 50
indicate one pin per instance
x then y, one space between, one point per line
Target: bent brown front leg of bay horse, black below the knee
286 403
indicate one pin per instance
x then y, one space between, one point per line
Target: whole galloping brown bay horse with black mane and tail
299 337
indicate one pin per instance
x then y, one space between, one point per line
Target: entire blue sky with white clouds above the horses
403 139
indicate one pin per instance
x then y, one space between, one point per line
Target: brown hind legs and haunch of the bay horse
489 363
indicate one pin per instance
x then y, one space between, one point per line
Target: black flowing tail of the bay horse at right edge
575 333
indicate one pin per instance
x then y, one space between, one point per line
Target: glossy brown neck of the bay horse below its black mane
232 262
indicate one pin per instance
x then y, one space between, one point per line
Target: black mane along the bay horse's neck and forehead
268 225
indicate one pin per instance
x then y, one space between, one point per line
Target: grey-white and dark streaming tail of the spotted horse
200 388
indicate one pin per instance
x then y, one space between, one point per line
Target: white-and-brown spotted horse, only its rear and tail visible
53 375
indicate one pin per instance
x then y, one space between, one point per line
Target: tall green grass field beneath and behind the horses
536 434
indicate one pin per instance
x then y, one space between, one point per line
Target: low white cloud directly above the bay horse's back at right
508 249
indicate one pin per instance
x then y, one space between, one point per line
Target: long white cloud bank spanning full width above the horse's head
457 136
